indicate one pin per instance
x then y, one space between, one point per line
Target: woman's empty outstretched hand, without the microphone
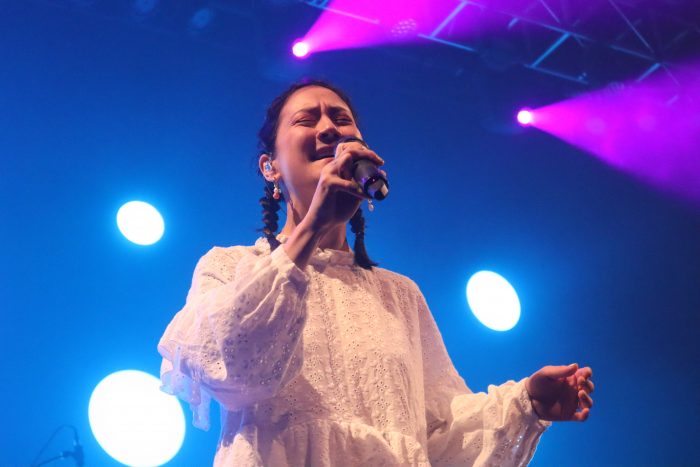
561 393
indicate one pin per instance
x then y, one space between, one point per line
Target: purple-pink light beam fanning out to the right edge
650 130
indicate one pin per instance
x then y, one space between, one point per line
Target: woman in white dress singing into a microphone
319 357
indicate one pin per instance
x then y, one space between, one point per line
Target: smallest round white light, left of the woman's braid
140 223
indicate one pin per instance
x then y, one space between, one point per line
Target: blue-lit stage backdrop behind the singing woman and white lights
98 108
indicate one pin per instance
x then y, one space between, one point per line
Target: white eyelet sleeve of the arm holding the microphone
236 339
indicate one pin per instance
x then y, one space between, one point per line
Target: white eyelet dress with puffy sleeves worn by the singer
331 365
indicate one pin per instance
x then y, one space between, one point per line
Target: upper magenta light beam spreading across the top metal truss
345 24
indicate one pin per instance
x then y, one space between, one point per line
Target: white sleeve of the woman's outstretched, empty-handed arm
499 427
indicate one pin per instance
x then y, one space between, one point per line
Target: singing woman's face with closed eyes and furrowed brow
310 123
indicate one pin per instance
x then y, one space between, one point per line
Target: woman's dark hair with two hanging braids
266 145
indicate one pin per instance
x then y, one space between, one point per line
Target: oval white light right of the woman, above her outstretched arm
493 301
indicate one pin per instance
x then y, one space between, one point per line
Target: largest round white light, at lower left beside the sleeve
134 421
